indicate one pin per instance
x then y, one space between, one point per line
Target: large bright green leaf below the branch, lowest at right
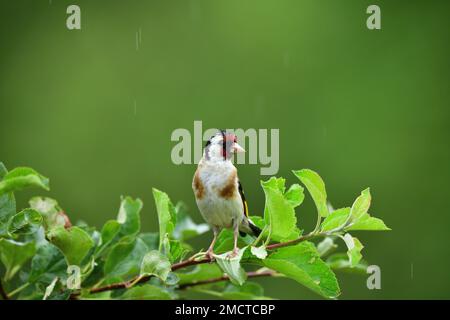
303 264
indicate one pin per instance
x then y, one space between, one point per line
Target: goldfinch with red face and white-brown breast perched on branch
218 192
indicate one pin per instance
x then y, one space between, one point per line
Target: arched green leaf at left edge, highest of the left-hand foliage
21 178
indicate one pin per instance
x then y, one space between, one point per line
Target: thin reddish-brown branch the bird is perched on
191 262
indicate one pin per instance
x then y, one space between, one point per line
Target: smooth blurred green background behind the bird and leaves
93 109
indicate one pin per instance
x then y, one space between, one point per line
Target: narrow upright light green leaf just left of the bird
166 215
